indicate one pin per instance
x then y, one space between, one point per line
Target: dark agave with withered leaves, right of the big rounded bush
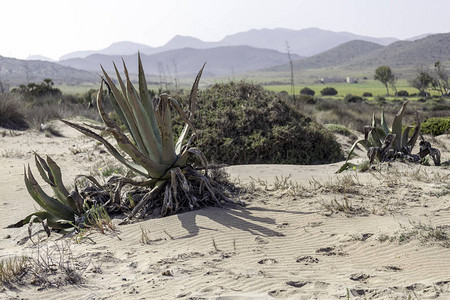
385 144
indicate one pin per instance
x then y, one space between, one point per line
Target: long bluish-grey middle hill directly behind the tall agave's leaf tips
220 61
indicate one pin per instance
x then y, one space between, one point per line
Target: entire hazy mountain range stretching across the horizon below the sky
262 51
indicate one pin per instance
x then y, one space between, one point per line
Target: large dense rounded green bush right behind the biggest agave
241 123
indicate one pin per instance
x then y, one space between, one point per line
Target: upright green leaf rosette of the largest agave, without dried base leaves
151 149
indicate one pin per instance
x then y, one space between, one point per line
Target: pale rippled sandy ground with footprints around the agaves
306 233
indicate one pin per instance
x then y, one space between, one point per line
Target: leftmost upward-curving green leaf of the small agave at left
52 205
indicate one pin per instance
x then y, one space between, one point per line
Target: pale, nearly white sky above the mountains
53 28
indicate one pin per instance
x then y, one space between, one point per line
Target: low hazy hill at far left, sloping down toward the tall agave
15 71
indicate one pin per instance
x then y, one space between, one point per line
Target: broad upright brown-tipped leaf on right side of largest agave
164 120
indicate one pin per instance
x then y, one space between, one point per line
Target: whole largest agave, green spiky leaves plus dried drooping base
149 145
